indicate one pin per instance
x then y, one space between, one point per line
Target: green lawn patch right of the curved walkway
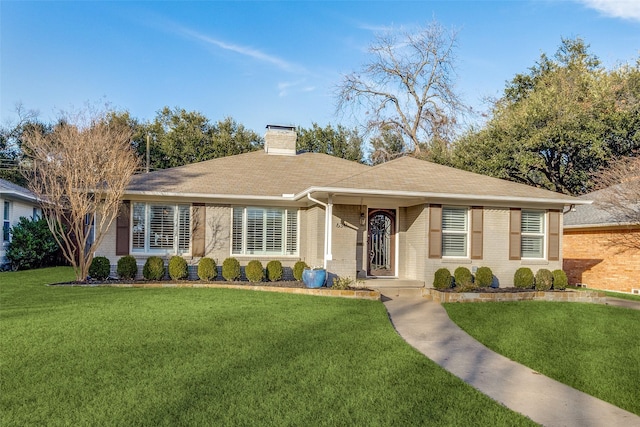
593 348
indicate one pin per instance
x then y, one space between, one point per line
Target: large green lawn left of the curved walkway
130 356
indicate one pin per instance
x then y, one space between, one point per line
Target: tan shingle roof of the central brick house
258 174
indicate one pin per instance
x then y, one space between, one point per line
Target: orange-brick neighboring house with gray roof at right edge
591 255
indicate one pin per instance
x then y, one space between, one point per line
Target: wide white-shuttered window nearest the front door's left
264 231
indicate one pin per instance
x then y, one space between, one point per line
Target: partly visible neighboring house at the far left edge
16 202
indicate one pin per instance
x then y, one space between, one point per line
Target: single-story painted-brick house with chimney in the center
402 219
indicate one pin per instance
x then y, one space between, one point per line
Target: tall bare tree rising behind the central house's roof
407 86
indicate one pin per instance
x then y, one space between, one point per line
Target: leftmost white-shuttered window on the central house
161 228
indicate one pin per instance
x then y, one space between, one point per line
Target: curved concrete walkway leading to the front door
427 327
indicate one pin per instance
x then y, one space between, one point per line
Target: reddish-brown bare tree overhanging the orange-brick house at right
620 198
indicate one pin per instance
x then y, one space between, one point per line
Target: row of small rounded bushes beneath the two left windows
154 269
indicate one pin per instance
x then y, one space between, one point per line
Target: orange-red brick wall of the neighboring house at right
591 259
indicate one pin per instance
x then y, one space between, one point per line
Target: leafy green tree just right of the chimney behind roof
339 141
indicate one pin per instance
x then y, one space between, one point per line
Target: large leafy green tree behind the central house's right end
557 125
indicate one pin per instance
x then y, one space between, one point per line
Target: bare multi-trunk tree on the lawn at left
79 171
